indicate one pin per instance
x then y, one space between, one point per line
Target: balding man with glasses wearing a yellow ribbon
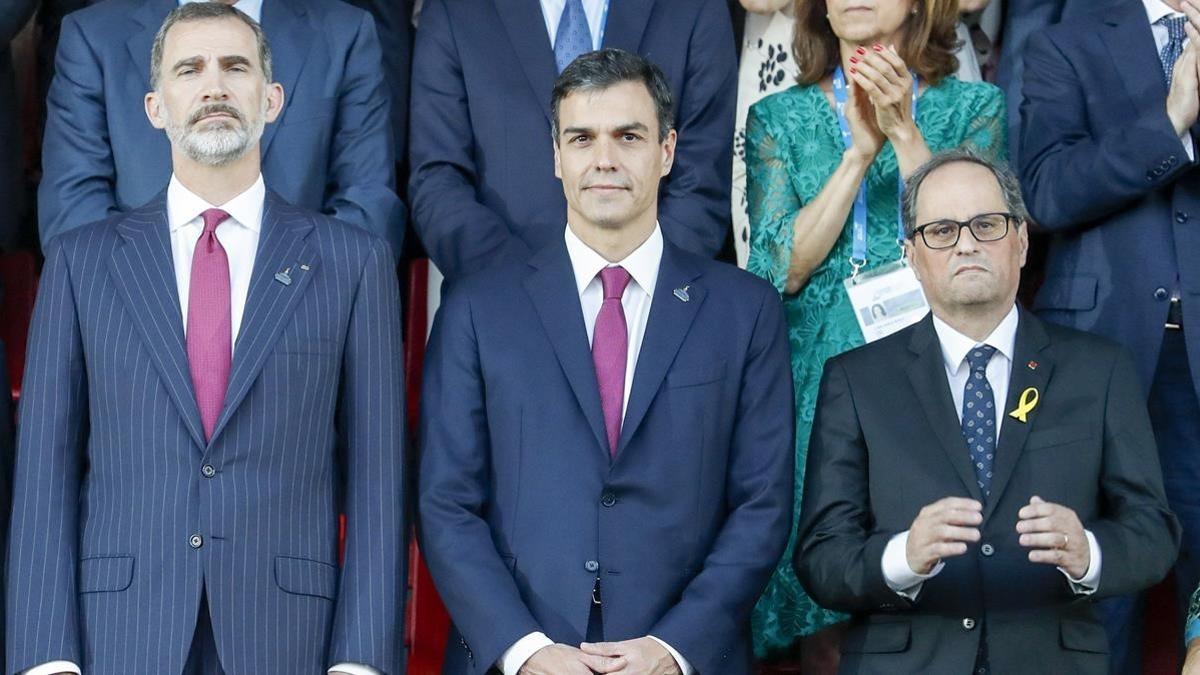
971 530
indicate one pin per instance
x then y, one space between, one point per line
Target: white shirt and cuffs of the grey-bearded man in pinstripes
239 238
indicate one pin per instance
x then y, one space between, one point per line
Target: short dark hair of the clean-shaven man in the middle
597 71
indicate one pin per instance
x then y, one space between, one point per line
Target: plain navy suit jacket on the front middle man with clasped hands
521 507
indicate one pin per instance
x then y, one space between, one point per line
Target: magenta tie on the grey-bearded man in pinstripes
209 324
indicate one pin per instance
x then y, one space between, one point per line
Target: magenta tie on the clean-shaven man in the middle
610 351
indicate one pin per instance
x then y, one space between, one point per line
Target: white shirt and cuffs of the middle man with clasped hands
644 267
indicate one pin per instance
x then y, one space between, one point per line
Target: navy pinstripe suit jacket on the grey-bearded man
112 480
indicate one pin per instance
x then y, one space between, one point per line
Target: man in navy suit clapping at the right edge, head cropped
1108 165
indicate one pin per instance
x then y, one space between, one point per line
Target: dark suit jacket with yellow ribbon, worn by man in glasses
887 441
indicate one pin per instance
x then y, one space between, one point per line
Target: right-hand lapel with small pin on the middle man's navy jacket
665 331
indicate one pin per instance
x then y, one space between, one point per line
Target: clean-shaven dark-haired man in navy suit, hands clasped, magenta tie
607 473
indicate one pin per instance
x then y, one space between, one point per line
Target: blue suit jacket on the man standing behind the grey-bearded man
331 151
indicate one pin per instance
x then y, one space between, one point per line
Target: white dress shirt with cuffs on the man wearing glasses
956 347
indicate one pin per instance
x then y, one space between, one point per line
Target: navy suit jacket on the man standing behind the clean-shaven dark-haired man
483 166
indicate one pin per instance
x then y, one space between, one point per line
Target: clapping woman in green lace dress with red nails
806 165
